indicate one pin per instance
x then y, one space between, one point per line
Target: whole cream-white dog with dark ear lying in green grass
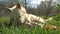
28 18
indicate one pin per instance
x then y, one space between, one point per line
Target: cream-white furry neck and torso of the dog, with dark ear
28 17
